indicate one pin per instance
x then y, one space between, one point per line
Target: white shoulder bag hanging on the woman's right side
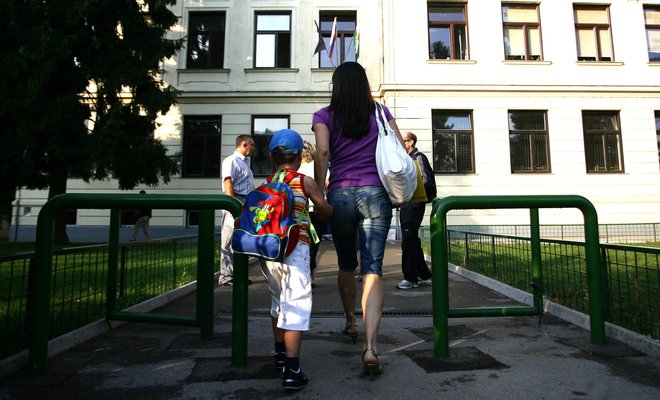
396 168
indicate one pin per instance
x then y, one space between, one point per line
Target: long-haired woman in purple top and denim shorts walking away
346 133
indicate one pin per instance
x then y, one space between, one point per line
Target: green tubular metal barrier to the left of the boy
38 322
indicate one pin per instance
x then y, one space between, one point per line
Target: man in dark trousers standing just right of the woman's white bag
413 265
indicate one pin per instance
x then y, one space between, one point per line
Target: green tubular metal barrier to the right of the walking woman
440 260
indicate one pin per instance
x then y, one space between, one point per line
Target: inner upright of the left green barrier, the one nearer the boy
205 259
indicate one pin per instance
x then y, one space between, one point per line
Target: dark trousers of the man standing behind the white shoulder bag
413 264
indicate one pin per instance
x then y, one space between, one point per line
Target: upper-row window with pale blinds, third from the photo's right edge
522 32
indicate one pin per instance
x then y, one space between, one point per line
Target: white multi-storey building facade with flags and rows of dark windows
505 97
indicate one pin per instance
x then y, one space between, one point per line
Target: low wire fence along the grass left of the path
79 284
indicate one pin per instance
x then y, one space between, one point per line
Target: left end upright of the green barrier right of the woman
440 283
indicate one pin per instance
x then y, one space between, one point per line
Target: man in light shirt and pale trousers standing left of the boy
237 181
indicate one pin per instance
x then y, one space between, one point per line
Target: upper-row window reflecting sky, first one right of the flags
447 31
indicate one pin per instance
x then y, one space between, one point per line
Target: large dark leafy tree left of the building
81 90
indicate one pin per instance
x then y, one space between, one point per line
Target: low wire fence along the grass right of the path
631 274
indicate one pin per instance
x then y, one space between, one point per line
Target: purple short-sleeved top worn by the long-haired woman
352 161
